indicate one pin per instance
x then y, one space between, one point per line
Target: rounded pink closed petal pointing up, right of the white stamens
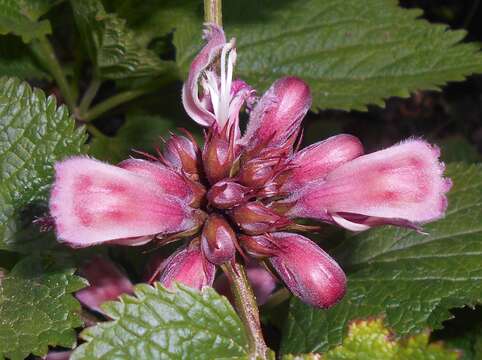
278 114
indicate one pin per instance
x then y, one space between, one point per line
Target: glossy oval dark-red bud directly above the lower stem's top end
217 240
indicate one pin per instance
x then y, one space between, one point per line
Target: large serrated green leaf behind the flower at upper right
352 53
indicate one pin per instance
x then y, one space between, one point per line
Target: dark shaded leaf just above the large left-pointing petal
140 132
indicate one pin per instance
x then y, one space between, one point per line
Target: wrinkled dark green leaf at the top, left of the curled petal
115 49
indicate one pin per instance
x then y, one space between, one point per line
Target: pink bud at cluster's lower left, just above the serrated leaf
188 266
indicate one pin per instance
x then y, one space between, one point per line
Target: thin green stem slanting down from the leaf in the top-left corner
46 55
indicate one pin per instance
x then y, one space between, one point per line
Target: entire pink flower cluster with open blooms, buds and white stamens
246 192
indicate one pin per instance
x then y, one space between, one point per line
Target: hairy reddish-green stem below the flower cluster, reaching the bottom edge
245 302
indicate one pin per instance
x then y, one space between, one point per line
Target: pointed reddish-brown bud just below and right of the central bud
255 218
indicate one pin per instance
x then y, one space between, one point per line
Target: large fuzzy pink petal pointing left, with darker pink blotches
93 202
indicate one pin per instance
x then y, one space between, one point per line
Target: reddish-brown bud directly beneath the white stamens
218 156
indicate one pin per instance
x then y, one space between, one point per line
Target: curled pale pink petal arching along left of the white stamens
215 38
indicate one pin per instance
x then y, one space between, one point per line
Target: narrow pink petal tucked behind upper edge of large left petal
168 180
